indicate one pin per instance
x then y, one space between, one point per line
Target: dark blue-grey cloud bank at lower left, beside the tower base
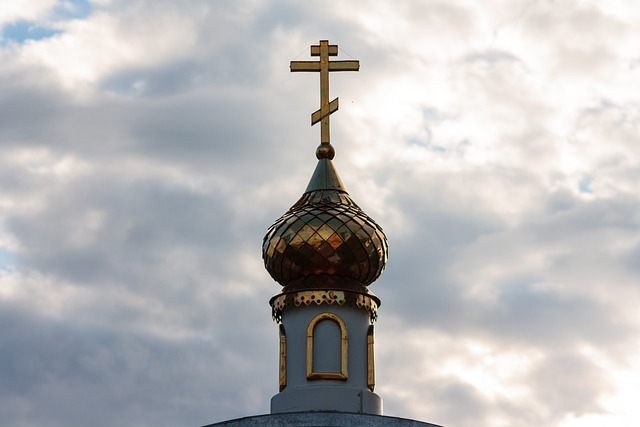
60 373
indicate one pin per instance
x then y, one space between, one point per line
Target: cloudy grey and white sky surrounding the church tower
148 145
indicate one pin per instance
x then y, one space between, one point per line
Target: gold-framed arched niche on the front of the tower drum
334 351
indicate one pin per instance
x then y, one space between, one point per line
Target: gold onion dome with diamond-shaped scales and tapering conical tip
325 241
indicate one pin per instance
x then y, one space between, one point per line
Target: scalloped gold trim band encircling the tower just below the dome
318 297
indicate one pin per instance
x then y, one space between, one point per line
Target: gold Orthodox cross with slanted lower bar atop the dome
324 50
